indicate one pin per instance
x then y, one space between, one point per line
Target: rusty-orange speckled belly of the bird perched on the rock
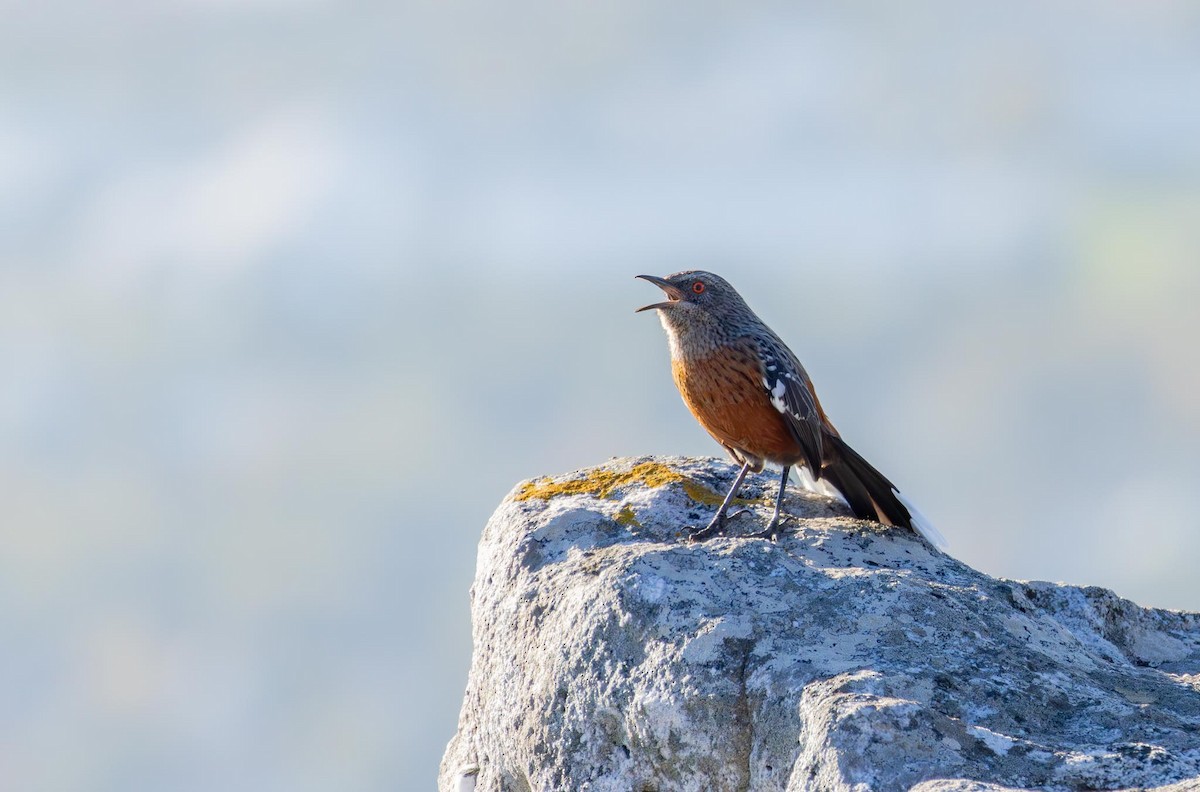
727 395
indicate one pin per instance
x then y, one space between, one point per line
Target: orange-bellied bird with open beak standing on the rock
751 393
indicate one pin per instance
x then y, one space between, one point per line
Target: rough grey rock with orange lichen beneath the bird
610 655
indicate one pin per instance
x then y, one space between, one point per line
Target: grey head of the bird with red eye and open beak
701 309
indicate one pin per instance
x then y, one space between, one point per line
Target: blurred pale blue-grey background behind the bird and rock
293 293
